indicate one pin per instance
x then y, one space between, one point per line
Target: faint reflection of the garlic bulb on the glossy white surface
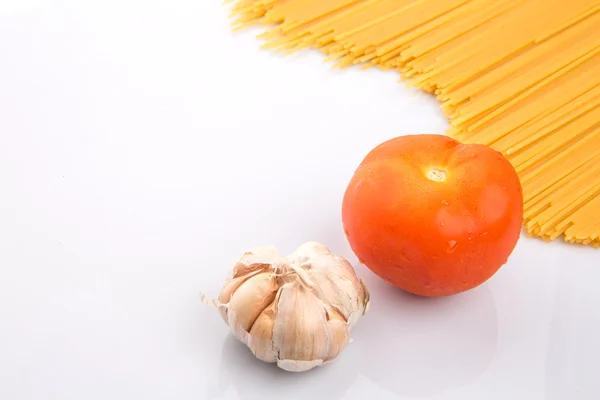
254 379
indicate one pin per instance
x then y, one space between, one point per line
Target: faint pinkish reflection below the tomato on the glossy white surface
417 347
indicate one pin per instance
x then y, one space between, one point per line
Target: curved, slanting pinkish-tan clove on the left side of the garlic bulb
248 302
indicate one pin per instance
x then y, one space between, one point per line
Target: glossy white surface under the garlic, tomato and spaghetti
143 148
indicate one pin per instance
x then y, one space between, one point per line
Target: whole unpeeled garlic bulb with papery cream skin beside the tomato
295 311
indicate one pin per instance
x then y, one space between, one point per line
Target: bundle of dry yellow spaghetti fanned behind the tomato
522 76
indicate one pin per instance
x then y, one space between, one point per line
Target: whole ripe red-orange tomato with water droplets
431 215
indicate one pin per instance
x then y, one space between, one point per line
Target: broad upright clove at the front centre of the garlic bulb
300 331
